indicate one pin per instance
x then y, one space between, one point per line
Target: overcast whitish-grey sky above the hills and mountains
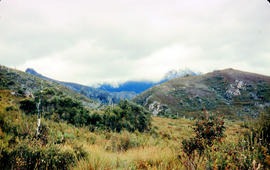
90 42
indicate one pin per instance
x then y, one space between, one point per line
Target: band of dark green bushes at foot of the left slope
125 115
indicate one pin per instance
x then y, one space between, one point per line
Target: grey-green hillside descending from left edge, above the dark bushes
26 85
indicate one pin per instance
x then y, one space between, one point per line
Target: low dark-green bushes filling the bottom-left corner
25 156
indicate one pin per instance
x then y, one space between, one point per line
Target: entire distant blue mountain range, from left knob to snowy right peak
107 93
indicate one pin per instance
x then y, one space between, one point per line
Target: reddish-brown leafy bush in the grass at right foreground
208 131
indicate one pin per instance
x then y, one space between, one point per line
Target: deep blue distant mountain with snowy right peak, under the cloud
140 86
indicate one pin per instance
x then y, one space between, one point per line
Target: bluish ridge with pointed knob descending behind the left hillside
102 96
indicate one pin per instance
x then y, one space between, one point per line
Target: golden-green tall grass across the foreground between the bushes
159 148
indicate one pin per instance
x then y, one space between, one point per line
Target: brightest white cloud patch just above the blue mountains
168 58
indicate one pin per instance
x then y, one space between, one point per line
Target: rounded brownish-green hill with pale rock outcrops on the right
230 92
